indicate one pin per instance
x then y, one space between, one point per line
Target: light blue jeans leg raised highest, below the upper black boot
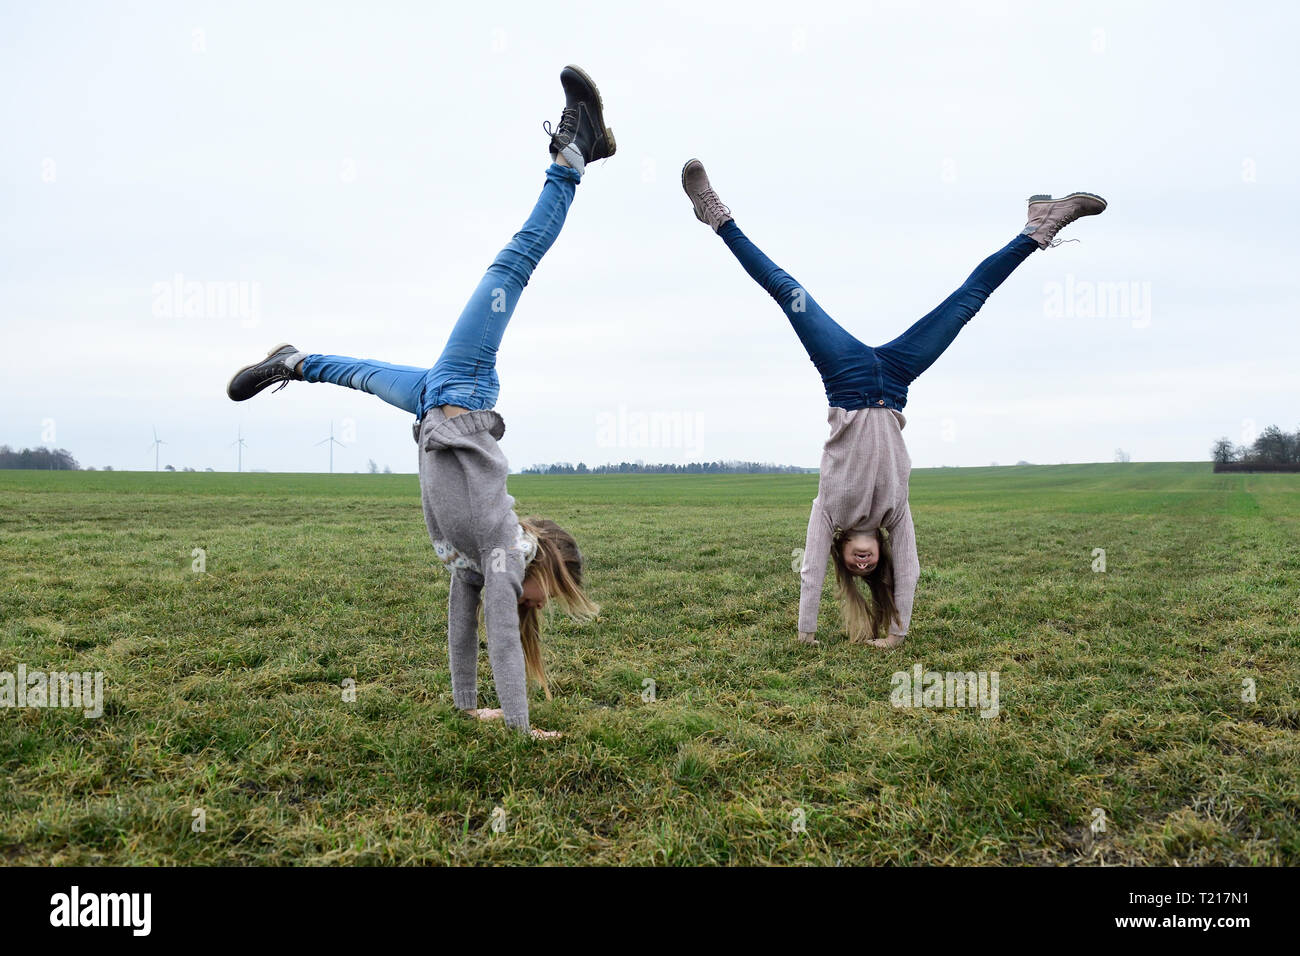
466 373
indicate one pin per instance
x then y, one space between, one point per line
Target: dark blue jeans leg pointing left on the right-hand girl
850 369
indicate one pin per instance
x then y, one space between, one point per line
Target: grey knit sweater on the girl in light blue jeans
463 486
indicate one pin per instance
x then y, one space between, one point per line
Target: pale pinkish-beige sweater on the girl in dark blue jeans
864 487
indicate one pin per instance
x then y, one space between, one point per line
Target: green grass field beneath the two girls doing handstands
1120 691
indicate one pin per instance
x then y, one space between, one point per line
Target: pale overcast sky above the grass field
353 168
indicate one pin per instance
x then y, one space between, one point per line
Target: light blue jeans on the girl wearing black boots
466 373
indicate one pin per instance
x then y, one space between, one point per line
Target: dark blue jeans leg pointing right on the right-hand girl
916 351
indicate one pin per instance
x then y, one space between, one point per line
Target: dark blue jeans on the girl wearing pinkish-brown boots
856 375
